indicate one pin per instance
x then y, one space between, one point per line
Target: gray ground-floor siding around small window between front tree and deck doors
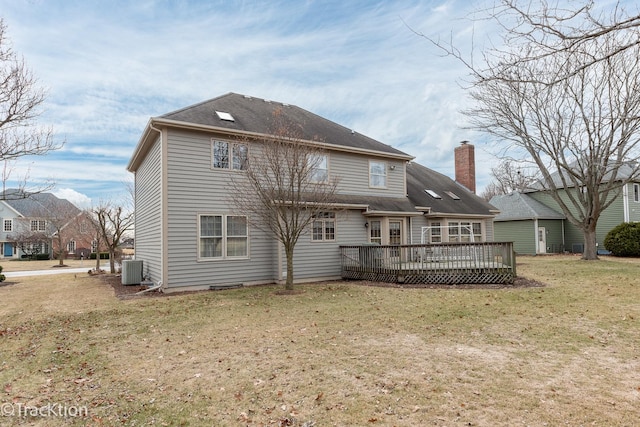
322 259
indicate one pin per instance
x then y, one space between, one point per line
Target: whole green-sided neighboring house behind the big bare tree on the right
559 234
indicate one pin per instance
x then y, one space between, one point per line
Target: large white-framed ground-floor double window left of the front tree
223 236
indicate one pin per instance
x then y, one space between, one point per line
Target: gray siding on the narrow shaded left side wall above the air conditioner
148 213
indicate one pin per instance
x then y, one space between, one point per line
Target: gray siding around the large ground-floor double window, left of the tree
194 188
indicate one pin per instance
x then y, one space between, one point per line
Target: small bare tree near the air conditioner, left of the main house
112 223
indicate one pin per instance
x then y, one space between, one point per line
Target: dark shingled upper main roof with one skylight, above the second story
255 115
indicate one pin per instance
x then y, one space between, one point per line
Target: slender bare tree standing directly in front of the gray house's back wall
285 186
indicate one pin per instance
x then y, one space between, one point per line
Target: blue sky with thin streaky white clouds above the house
110 66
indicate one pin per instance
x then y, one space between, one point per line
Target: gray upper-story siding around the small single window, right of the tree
353 173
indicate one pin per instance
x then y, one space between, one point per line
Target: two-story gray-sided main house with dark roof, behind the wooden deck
181 188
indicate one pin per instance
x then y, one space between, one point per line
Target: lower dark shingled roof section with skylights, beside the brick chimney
448 197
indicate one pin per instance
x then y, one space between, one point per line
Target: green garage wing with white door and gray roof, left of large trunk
533 227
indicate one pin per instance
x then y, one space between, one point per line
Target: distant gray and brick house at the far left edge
36 220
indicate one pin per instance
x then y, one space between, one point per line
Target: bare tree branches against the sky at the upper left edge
21 100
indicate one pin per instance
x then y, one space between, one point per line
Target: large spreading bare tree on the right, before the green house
564 95
